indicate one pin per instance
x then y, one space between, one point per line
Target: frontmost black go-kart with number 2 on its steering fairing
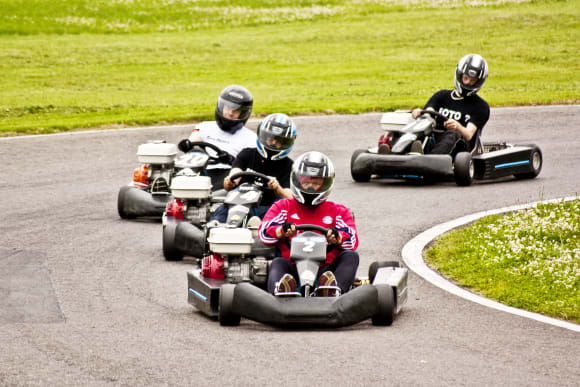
379 298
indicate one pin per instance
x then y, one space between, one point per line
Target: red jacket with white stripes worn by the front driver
327 215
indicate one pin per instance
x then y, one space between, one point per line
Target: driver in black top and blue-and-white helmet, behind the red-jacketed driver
276 135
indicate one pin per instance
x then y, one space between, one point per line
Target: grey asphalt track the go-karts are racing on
87 298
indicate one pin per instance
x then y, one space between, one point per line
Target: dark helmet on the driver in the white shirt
233 108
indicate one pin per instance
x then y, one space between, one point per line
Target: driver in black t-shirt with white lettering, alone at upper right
467 113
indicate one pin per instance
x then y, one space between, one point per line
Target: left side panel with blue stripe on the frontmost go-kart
203 293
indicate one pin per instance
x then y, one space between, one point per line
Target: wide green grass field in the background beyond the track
82 64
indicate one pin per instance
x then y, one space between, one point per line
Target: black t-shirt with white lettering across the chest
463 109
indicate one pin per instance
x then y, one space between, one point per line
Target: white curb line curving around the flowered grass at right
413 257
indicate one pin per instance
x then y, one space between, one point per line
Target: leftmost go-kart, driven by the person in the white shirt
149 193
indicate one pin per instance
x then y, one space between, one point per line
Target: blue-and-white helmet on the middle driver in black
276 136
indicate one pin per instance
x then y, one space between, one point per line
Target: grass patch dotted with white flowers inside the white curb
528 259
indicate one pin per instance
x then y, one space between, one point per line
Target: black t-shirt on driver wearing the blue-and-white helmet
250 159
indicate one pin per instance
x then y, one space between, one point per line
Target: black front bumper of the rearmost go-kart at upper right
403 165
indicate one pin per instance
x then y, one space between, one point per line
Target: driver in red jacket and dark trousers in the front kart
311 182
